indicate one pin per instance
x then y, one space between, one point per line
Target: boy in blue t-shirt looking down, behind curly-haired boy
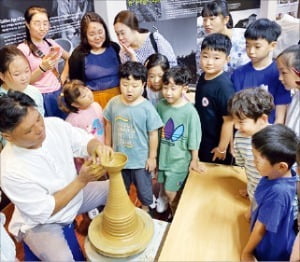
261 39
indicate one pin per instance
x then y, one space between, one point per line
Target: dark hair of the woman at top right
215 8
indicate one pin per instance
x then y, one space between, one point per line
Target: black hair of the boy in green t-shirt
180 75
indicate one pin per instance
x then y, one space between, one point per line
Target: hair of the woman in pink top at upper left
29 13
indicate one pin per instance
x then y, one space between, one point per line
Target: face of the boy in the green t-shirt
172 92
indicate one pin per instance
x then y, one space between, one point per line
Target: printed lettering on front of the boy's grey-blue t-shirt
125 132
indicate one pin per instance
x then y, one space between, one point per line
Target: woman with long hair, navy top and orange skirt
96 60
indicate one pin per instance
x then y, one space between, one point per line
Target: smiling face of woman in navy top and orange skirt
95 35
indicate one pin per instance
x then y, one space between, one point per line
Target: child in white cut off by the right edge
288 63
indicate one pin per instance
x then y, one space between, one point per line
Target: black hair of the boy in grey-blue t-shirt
135 69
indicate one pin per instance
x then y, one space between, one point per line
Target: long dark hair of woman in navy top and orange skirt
85 21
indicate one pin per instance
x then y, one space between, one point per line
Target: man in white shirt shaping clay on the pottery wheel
44 186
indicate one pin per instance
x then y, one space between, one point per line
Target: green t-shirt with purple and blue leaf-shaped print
180 134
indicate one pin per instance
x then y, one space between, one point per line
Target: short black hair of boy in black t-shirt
217 42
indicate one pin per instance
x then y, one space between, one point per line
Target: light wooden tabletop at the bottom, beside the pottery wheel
209 224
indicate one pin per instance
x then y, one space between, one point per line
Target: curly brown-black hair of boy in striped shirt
251 103
